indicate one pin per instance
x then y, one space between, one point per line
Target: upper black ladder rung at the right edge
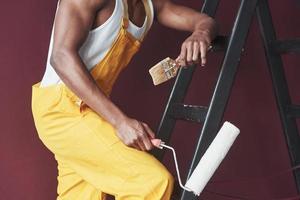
287 46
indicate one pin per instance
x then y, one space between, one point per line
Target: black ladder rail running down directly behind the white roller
224 84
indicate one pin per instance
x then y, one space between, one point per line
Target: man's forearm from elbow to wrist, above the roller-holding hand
75 75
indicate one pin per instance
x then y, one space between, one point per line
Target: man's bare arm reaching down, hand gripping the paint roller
73 22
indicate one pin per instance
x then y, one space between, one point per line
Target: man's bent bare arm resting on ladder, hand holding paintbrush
204 29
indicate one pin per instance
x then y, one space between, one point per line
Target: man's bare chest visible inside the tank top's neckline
136 11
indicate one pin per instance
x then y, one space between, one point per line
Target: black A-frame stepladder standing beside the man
212 115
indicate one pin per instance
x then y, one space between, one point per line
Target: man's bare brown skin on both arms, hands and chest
75 18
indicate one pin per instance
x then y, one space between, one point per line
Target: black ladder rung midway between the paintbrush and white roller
188 112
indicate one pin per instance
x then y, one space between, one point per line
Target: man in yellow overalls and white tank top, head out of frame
99 149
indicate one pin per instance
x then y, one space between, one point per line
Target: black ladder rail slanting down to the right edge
280 85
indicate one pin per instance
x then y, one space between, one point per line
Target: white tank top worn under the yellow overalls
98 42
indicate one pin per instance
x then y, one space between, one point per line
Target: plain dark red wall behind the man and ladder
252 168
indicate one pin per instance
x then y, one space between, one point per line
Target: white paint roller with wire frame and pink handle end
209 162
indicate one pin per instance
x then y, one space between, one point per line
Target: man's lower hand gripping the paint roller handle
135 134
